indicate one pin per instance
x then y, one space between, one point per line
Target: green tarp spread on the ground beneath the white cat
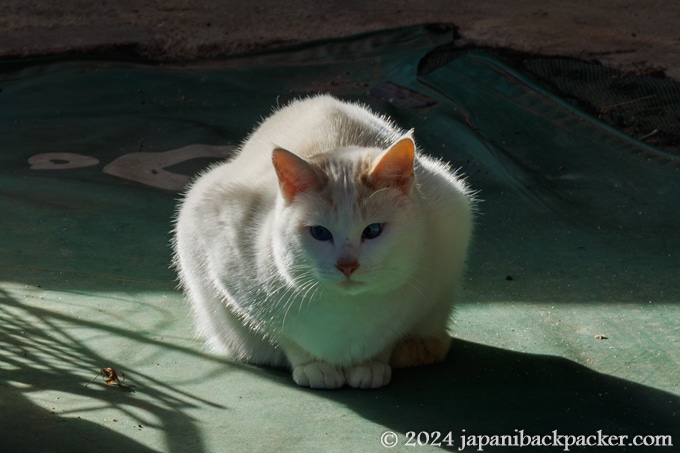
569 320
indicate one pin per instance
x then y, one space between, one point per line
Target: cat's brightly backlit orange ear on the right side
395 166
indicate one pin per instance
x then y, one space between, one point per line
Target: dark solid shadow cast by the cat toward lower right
483 390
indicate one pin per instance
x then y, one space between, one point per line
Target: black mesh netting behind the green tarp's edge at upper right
642 103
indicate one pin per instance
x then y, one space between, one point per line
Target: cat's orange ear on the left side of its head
295 174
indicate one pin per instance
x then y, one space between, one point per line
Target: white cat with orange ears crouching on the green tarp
328 244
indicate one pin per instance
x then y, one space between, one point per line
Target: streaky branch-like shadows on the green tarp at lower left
41 358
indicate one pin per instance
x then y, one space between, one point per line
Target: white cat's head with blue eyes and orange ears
349 219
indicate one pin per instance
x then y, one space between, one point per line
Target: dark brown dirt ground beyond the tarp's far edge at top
625 34
